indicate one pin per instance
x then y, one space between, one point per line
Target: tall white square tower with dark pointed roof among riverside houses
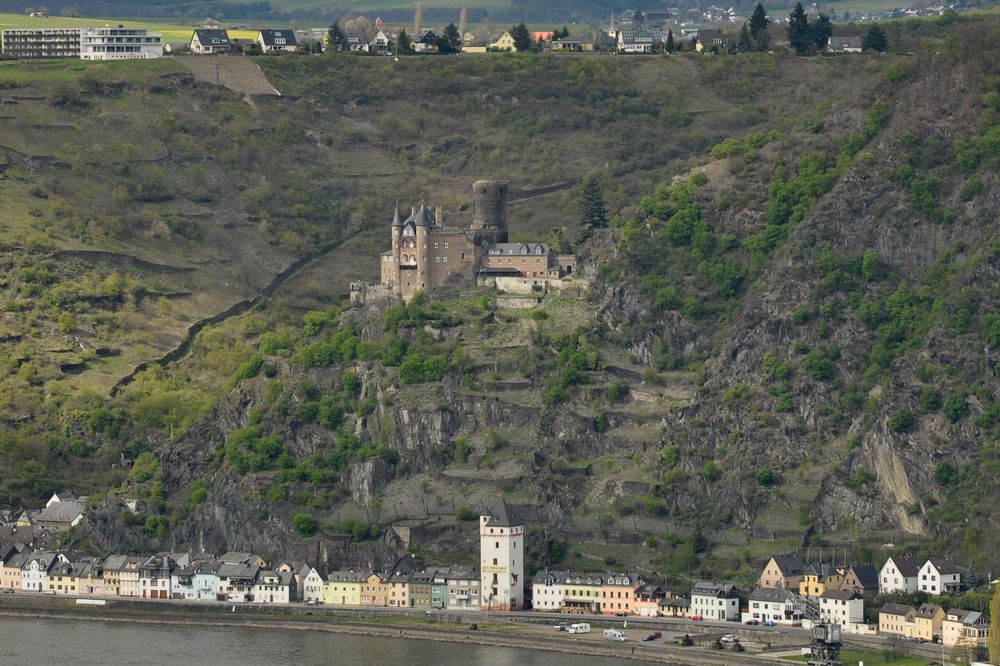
501 559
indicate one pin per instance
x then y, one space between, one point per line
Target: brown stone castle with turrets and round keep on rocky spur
427 255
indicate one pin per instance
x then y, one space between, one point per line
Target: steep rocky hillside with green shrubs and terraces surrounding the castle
790 336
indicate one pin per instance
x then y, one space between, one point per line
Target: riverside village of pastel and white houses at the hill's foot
904 599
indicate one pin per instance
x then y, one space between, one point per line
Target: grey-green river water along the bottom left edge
69 642
